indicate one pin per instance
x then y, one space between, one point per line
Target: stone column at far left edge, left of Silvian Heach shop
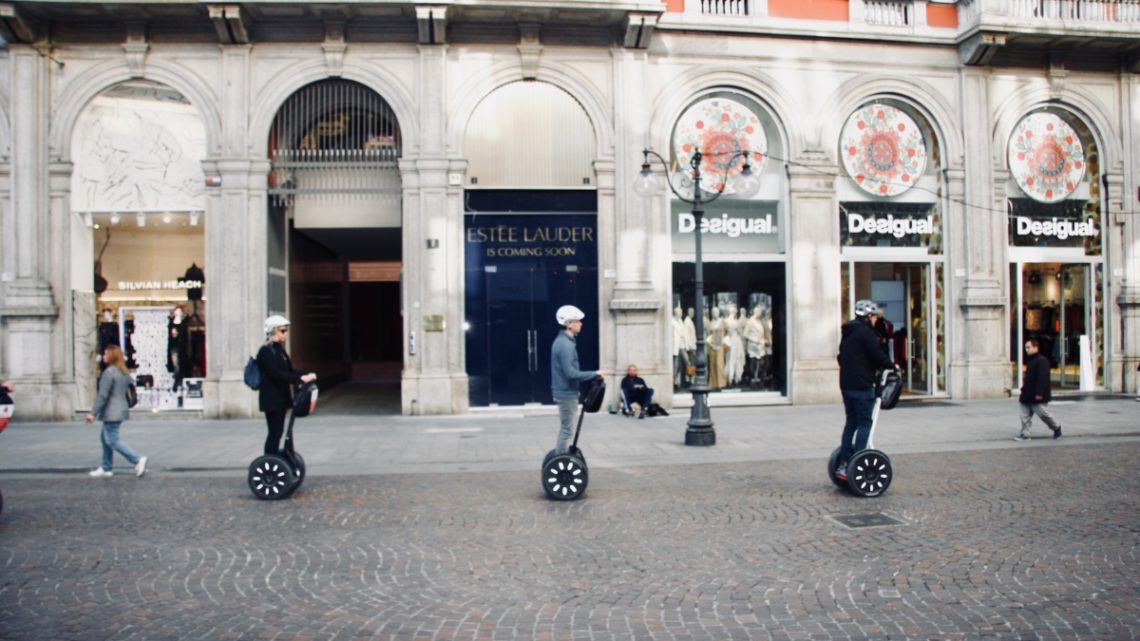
28 306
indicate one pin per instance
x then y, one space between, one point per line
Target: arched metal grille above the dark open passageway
335 139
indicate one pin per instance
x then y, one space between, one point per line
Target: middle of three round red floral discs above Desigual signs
883 150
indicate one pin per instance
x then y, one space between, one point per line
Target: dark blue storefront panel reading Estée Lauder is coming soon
520 269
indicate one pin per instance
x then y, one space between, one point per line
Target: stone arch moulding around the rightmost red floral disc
1082 106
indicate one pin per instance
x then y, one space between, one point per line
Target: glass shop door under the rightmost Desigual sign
1052 303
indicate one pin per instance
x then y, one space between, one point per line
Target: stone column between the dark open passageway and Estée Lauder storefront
435 380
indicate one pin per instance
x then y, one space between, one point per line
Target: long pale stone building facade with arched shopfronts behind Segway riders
426 183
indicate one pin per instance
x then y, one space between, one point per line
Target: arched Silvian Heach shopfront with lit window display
139 194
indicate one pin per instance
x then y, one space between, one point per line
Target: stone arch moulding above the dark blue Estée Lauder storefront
577 86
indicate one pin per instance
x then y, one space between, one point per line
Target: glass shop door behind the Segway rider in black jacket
906 293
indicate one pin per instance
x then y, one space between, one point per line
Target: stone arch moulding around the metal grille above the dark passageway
289 82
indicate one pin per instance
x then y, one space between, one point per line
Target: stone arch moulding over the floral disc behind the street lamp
691 85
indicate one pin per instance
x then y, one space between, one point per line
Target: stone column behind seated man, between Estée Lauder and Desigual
634 278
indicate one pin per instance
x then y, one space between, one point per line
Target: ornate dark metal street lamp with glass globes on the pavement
701 424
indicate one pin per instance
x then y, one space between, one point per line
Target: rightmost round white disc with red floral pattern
1046 158
